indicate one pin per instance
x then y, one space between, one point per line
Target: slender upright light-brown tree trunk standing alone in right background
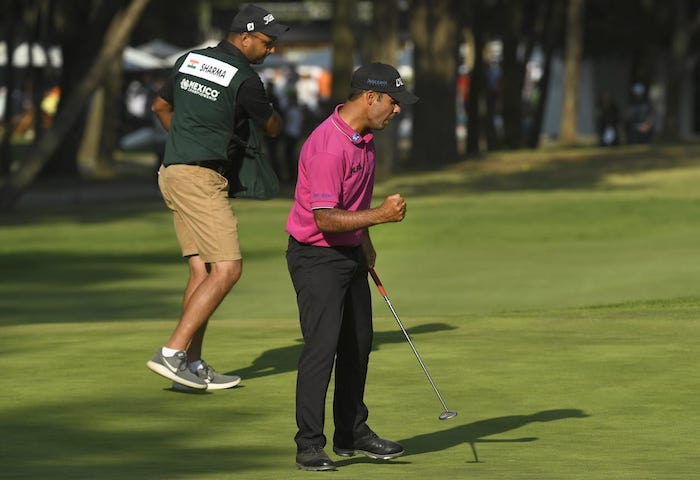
574 47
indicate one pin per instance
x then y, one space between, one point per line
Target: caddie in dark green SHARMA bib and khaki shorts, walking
212 94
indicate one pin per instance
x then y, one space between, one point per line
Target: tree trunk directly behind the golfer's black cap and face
383 46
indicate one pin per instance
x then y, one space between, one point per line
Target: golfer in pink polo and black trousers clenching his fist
328 257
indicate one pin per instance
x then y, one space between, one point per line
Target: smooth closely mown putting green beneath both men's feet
581 393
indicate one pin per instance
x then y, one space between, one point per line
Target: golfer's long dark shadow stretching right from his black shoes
473 433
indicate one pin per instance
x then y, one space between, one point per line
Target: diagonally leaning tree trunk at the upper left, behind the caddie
69 114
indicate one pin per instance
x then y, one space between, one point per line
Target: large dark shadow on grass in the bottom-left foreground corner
101 440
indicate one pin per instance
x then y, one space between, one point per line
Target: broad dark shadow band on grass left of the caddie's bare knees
52 287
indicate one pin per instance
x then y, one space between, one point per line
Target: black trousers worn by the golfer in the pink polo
335 313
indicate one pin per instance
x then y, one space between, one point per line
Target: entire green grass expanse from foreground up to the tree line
560 322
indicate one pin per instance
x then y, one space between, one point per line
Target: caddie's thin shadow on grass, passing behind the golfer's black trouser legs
284 359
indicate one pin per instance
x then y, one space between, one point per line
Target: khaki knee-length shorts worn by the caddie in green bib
205 223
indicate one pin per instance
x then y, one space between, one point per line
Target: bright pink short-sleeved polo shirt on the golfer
336 170
